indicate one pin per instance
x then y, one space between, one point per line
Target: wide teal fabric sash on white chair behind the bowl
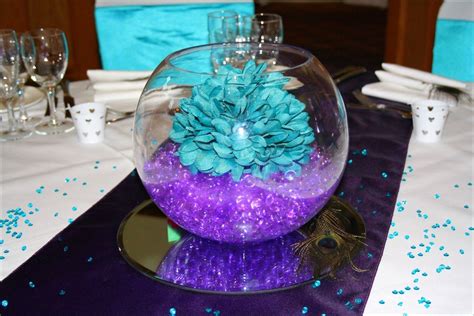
140 37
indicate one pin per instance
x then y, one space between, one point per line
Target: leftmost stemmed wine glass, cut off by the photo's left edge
9 63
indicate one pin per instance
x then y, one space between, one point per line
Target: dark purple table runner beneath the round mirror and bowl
109 286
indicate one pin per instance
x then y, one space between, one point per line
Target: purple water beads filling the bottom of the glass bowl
221 209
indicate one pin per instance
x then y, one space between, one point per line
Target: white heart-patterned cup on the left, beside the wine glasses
89 120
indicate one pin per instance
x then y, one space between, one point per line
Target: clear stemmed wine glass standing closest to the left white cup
45 54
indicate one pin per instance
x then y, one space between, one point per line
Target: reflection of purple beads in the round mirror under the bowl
205 264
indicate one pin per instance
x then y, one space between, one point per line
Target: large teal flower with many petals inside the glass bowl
242 121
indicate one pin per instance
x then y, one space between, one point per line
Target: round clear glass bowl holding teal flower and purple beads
240 142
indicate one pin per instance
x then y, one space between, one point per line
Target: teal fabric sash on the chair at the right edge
453 54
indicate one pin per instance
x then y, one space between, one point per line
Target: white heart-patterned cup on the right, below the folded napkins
429 117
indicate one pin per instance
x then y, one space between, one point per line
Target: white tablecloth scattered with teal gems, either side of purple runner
55 179
